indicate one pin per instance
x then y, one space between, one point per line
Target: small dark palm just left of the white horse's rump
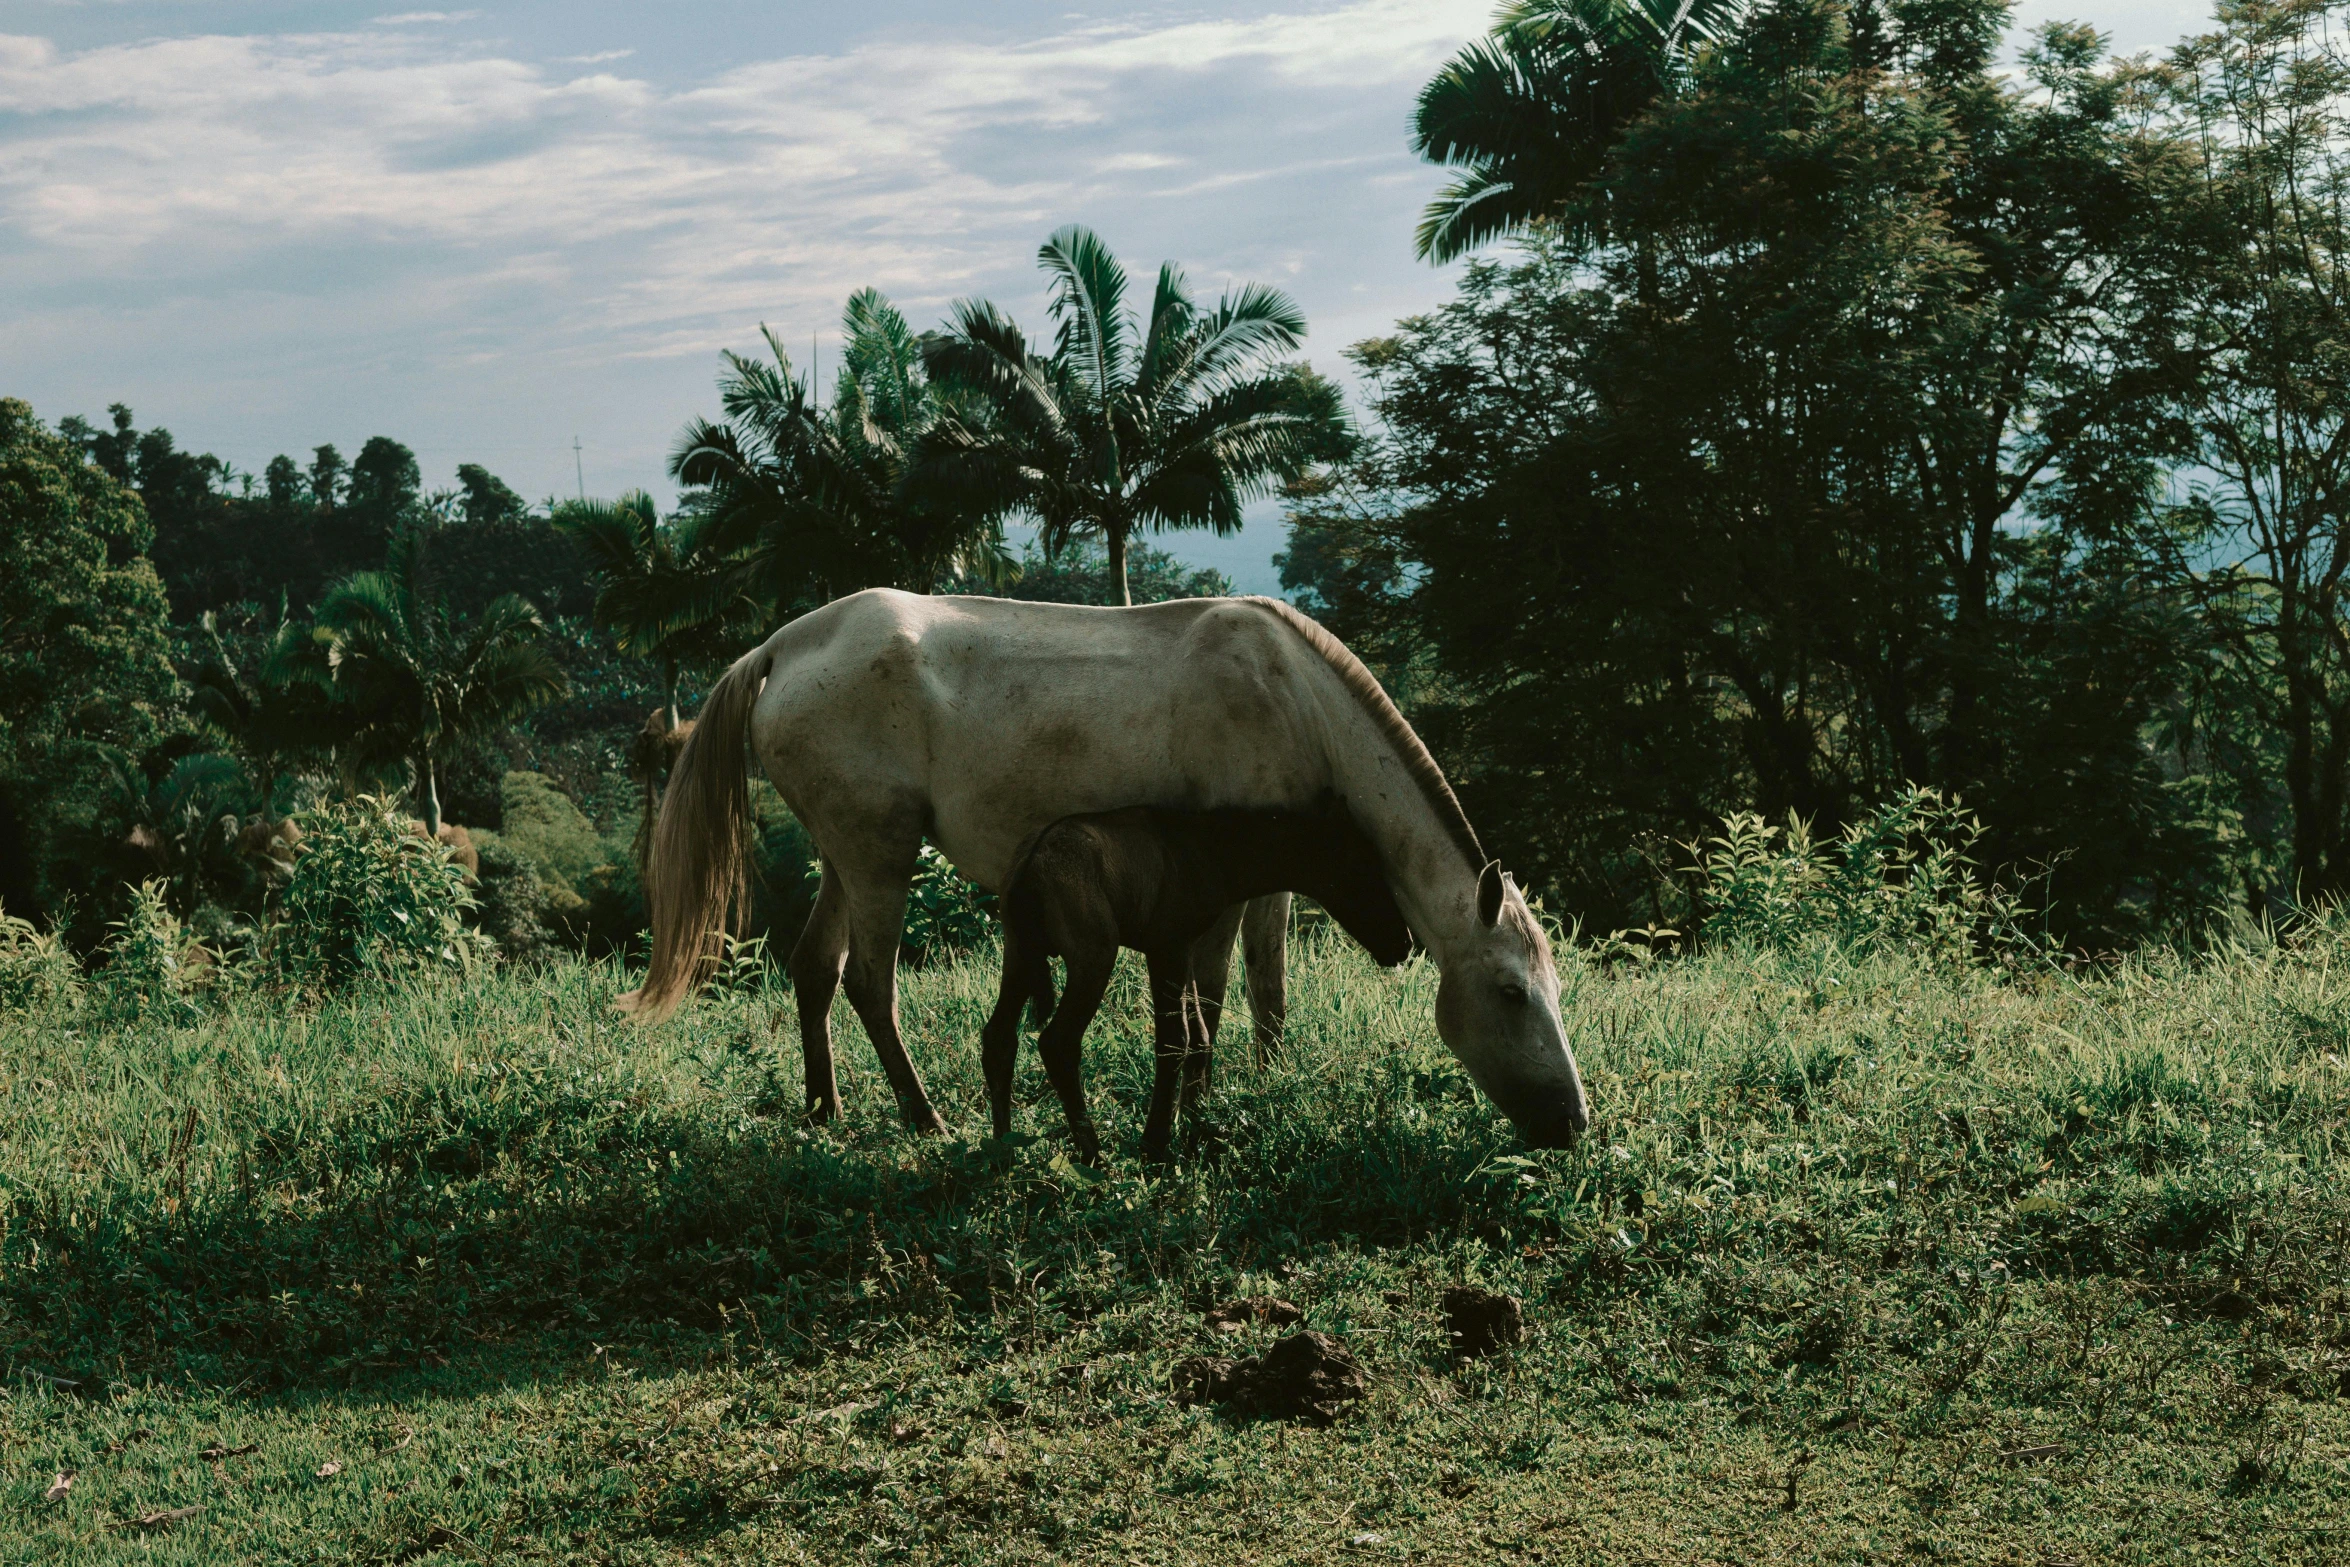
666 593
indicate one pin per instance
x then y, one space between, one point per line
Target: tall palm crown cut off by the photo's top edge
1531 112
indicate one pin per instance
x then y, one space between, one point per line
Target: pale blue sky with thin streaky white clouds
499 231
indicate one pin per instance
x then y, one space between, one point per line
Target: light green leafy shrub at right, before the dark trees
1900 877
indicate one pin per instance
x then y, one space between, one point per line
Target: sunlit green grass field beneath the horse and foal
1862 1263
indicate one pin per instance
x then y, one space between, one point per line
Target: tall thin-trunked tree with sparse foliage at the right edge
2262 544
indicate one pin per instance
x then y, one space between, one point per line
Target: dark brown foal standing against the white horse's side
1157 882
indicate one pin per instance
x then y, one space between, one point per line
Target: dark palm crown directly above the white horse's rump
819 499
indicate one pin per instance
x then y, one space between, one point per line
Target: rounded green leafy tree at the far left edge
83 657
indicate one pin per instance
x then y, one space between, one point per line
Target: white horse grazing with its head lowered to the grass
887 718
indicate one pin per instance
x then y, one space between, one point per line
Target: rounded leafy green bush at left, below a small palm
370 896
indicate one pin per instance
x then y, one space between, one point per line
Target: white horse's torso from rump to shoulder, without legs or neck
998 715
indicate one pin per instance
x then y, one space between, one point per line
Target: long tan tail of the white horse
699 870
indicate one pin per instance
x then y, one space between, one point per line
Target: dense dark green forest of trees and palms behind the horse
1841 396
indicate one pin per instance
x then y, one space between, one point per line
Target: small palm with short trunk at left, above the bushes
422 680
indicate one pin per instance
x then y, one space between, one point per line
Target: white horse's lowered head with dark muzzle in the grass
1498 1011
